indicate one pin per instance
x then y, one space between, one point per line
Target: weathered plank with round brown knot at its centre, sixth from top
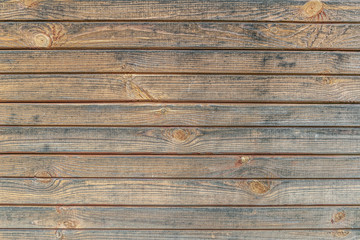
184 140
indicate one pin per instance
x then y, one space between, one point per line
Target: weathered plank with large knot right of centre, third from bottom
179 192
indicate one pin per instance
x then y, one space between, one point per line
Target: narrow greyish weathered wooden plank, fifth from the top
153 114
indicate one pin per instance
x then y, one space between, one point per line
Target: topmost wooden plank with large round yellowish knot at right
263 10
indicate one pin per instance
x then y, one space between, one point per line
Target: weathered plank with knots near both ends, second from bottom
179 218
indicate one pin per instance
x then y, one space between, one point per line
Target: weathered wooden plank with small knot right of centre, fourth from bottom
123 166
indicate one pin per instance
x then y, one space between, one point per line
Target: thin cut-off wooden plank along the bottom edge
179 234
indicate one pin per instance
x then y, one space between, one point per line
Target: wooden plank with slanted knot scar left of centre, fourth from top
133 87
